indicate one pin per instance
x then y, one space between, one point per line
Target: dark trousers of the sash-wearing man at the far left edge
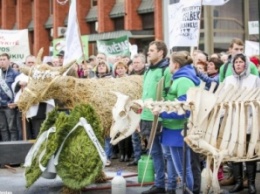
8 127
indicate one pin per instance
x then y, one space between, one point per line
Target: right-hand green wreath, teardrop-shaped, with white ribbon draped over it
79 162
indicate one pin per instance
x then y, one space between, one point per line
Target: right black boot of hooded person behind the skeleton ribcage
251 173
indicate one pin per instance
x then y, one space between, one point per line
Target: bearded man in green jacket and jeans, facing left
158 68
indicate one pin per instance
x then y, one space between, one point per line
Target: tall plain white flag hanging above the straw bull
73 50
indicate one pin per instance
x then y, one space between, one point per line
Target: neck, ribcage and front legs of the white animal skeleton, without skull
218 124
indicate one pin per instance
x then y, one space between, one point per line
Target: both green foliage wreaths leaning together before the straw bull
79 162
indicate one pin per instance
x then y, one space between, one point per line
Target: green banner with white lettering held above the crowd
118 46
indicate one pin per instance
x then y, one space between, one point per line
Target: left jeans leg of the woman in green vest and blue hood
171 172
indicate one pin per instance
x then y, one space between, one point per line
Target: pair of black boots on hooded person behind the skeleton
238 174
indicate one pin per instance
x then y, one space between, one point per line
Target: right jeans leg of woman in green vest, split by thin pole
177 157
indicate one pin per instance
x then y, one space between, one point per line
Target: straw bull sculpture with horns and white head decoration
46 82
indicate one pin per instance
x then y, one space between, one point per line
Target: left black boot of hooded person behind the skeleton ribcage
238 174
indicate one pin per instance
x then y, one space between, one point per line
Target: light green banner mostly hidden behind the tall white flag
59 44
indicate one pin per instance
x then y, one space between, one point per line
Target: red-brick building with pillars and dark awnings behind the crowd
140 20
